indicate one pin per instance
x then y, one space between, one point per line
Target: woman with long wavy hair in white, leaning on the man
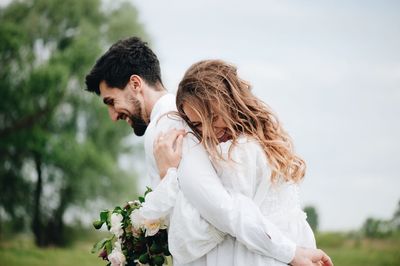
251 152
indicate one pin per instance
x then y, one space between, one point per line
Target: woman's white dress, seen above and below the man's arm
249 174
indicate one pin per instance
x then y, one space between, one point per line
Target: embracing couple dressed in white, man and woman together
223 169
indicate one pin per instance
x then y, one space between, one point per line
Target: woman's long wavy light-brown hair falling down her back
212 88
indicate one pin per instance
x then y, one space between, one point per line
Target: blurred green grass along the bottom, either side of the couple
343 249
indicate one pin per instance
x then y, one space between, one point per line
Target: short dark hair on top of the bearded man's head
126 57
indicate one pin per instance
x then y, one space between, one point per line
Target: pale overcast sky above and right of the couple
330 70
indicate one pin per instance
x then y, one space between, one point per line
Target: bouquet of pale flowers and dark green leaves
134 240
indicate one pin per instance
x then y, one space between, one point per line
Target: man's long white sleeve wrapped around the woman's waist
232 213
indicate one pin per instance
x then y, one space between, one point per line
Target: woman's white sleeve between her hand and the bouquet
159 202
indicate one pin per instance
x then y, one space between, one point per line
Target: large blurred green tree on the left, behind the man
58 149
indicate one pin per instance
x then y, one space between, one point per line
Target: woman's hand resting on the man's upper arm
167 150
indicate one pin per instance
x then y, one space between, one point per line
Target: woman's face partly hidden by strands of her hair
218 125
